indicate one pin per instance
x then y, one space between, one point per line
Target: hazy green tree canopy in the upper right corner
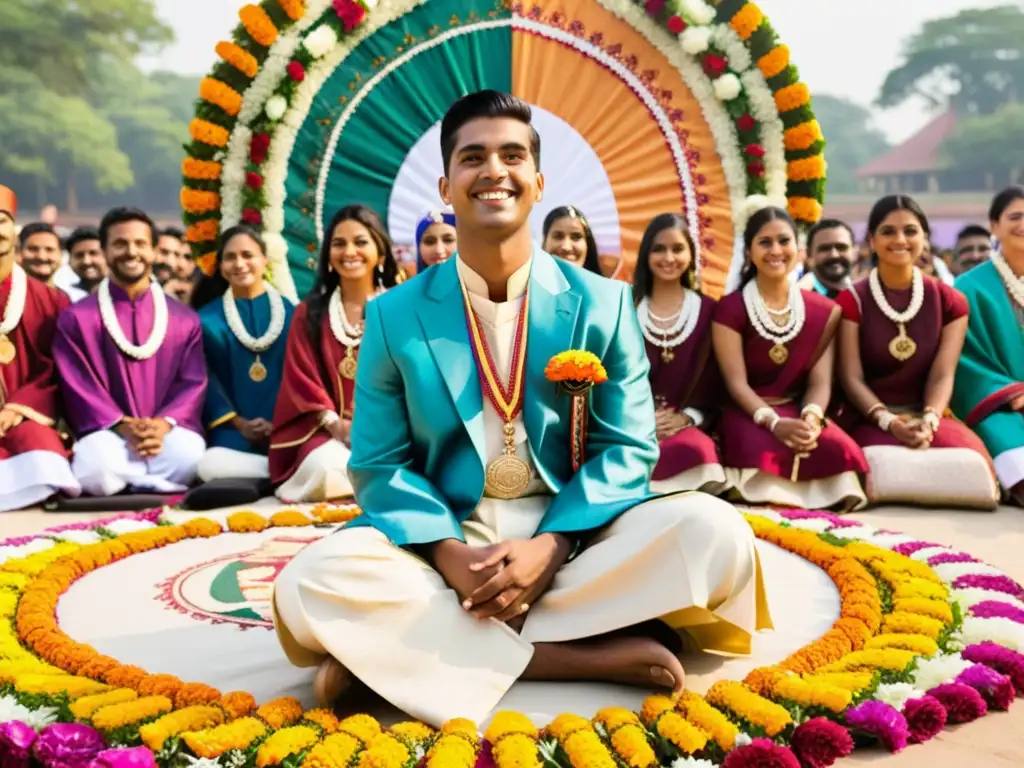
974 61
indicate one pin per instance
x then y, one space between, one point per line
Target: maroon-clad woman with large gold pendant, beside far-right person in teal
902 337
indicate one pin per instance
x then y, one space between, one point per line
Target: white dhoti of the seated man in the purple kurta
105 465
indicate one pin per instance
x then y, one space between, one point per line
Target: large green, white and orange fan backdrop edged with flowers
644 108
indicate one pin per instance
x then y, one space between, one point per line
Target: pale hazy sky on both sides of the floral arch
842 48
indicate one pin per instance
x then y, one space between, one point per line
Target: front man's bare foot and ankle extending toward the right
629 661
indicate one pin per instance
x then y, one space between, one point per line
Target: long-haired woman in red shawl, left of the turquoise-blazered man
314 415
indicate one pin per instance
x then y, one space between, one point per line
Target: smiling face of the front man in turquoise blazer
493 183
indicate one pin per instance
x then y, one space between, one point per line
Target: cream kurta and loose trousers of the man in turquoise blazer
392 620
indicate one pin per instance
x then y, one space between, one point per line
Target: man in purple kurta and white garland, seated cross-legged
133 372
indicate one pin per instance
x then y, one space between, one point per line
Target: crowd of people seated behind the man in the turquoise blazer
823 393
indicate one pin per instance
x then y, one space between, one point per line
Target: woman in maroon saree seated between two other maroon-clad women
775 346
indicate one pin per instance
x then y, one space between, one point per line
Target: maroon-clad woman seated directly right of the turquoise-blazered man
676 324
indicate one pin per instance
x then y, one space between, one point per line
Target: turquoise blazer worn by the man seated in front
418 463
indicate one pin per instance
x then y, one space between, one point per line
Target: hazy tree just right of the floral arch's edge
852 141
